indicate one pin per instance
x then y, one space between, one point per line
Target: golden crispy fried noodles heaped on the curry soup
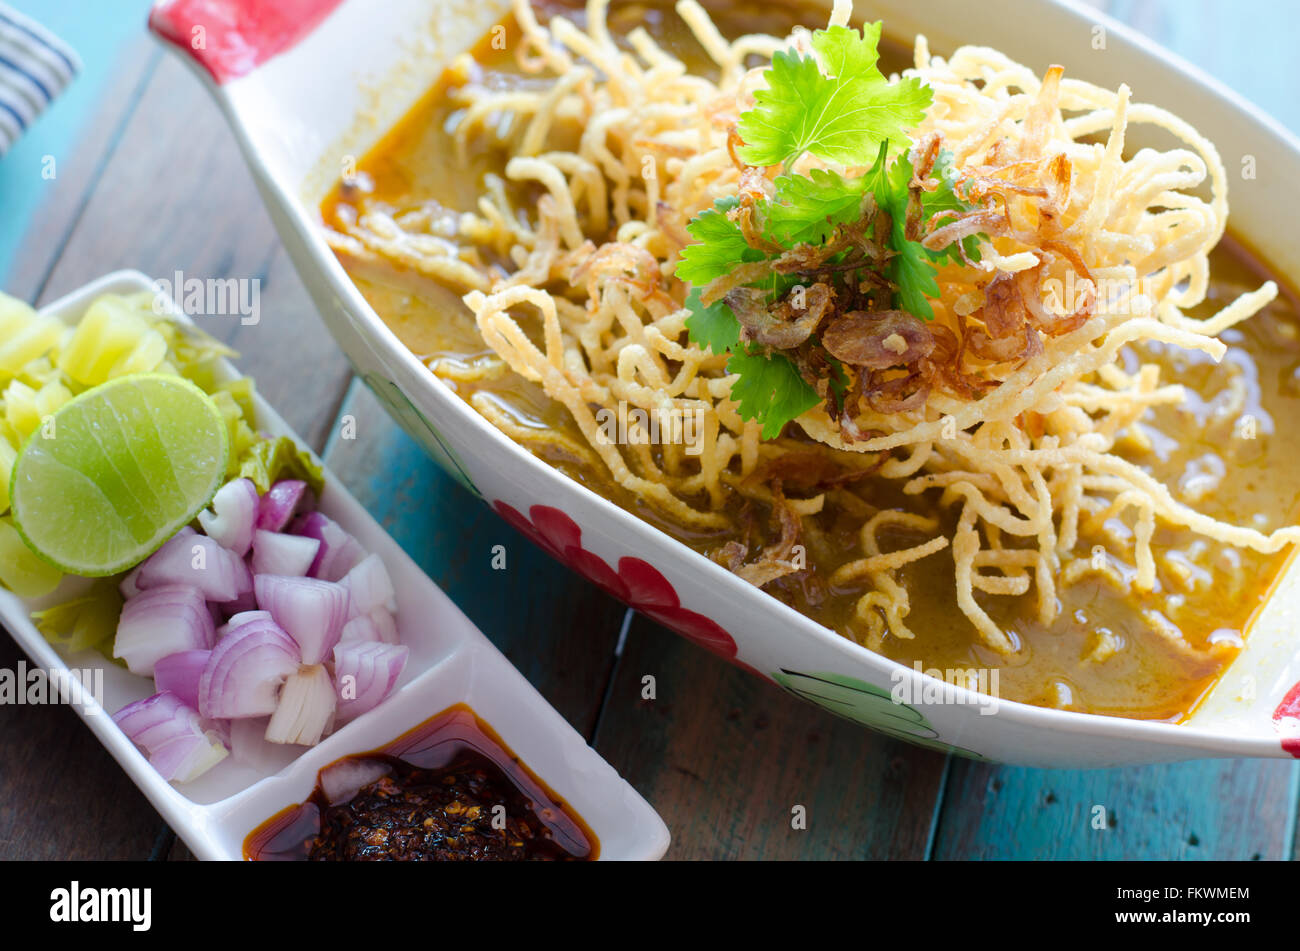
1084 253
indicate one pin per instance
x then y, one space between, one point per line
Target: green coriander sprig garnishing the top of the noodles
838 107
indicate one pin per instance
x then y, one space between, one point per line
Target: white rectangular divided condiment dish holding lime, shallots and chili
450 663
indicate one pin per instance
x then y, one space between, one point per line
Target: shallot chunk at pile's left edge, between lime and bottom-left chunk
159 623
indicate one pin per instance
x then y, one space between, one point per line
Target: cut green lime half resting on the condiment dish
118 471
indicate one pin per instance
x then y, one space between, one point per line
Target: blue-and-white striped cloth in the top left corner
34 68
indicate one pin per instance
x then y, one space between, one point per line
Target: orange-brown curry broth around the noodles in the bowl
1151 678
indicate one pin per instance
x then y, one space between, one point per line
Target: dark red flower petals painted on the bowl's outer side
638 584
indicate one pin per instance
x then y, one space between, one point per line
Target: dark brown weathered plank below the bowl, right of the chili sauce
726 758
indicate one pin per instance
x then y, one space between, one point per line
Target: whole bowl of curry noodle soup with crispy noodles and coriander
909 361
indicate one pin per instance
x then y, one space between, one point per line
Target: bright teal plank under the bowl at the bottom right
1211 810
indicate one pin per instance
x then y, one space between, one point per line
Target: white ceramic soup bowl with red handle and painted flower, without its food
306 98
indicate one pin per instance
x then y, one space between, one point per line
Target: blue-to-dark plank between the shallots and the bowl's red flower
558 629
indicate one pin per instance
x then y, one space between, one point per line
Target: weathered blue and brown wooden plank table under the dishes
148 177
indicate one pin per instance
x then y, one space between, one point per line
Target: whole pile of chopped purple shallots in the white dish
313 601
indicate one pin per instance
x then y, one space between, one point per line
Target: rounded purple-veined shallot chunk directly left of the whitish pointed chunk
244 675
